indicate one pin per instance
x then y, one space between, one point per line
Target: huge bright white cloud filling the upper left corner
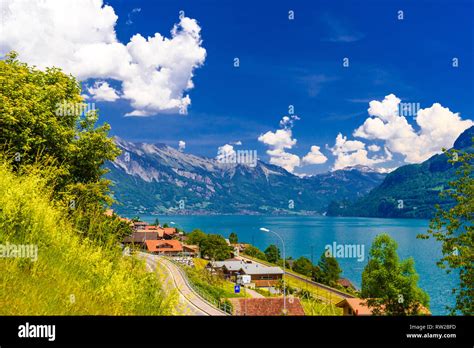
79 37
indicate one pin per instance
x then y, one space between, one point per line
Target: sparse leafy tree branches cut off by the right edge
454 227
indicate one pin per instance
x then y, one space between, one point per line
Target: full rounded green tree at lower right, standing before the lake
390 285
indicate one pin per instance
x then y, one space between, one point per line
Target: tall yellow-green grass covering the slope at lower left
73 275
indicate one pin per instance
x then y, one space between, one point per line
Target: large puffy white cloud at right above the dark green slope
438 128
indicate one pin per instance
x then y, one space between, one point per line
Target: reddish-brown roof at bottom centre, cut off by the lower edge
268 306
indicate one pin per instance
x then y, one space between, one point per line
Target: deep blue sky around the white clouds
299 62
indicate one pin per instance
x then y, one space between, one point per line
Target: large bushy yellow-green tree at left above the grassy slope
42 117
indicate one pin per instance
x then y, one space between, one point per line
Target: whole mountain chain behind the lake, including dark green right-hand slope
159 179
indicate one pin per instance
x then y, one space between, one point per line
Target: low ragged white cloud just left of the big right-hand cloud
352 152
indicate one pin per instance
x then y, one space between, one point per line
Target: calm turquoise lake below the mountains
304 235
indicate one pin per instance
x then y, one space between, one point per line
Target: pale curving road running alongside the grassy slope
192 303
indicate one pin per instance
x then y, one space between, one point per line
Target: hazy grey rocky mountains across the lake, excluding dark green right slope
159 179
